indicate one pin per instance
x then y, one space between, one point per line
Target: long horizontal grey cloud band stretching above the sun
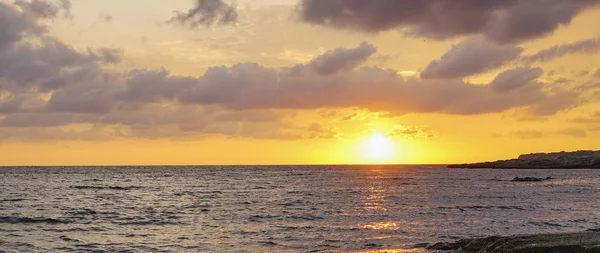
251 86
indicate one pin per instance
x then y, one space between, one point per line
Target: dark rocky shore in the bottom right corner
577 242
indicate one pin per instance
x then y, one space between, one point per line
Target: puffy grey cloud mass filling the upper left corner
49 64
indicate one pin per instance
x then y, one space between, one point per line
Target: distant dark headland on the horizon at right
582 159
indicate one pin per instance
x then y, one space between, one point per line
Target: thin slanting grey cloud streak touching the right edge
584 46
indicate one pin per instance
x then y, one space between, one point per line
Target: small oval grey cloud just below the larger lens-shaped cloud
515 78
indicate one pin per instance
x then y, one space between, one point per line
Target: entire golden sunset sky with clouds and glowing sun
156 82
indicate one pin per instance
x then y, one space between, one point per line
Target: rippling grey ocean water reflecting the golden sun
282 208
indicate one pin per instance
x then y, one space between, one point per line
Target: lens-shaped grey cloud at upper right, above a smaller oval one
469 57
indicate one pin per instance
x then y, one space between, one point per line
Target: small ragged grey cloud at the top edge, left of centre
206 13
